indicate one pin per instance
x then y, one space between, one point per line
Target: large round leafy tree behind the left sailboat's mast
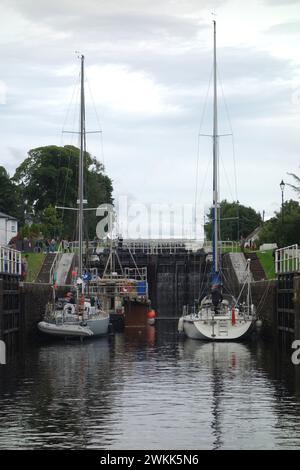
49 177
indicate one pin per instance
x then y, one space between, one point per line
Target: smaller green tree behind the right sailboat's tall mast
236 220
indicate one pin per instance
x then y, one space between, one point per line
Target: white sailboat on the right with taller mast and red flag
219 316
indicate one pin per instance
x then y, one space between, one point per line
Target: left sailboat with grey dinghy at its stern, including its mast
83 318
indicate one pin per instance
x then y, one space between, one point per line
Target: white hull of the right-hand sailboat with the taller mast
216 329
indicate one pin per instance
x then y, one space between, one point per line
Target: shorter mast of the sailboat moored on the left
81 167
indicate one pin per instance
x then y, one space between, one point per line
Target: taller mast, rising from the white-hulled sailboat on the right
215 165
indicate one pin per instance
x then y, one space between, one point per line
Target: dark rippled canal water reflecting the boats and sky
150 390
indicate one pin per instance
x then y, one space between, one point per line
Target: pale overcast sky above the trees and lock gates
148 68
